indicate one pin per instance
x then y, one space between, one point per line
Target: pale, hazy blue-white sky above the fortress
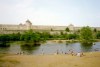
51 12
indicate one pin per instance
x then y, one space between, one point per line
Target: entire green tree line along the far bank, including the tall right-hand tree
84 34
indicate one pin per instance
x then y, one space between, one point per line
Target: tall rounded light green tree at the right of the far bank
86 34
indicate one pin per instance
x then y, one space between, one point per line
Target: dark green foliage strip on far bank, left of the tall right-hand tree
31 36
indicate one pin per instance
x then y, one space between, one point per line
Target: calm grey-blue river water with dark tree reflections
50 48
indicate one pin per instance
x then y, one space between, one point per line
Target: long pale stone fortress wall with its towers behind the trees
8 29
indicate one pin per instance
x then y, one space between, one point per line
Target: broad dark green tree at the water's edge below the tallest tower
31 38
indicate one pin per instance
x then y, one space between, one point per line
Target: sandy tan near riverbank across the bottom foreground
89 60
